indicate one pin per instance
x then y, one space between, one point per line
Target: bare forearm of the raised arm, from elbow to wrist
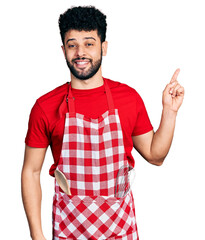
162 139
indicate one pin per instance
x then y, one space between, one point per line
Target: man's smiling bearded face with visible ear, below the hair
83 51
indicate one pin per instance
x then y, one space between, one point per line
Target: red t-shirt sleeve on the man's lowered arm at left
38 131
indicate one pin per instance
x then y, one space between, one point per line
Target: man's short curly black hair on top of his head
85 18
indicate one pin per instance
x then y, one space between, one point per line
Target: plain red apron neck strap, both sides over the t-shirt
71 99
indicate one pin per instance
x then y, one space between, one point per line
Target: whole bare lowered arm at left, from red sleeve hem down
31 189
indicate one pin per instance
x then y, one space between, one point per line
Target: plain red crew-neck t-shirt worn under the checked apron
47 118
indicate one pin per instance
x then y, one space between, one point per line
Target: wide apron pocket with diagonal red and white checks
94 217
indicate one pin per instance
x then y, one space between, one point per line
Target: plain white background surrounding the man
148 40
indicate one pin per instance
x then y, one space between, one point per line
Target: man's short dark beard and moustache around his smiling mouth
85 75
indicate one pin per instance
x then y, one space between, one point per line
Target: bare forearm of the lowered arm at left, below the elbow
31 194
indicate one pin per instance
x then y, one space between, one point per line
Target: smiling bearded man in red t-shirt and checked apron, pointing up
91 124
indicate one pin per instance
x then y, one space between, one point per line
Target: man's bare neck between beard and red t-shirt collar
94 82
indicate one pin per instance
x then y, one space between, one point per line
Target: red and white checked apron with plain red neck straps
91 156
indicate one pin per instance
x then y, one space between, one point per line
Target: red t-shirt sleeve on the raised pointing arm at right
142 124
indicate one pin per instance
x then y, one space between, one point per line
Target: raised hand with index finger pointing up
173 94
